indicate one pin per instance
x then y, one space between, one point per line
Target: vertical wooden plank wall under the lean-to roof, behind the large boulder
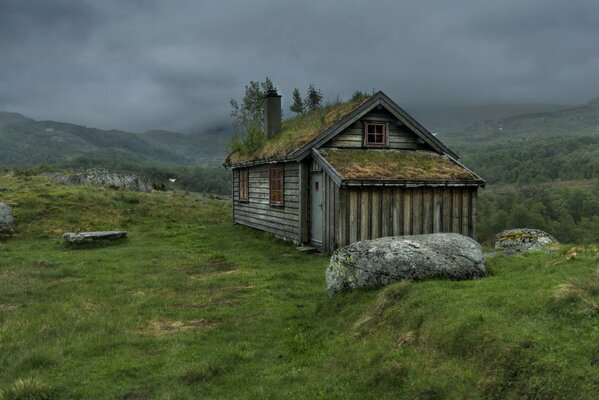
370 212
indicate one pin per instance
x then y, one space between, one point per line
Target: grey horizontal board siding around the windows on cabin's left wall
283 221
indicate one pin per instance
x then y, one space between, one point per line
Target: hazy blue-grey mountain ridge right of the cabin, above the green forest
570 122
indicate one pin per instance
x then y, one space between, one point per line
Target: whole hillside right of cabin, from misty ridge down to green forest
542 171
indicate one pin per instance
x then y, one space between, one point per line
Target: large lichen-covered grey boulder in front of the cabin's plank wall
378 262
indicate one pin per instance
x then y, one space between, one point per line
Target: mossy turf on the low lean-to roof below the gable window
395 164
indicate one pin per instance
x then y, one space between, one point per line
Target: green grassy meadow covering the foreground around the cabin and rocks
191 306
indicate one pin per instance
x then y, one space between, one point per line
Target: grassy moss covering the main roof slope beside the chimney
298 131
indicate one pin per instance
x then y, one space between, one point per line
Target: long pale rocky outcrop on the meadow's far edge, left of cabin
102 177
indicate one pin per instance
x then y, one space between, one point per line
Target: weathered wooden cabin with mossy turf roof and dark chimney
349 172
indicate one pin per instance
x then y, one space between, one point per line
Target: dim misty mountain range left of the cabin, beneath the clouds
24 141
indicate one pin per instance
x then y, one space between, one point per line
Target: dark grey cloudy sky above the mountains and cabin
174 64
